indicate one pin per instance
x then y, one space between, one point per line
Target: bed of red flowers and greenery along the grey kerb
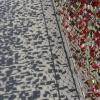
80 20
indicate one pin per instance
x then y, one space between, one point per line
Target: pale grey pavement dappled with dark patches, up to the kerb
33 62
